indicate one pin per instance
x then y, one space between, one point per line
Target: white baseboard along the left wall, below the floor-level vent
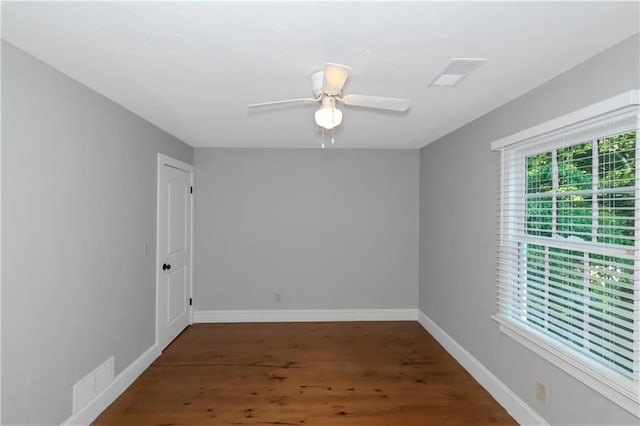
98 404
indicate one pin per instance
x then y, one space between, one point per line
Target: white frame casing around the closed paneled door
165 160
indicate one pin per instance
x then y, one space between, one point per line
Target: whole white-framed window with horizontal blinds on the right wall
569 245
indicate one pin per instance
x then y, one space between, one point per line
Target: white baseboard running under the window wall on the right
515 406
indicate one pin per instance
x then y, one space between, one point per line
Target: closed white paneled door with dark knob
174 251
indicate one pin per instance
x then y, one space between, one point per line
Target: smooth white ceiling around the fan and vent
192 67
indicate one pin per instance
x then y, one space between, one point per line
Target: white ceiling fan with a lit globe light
327 85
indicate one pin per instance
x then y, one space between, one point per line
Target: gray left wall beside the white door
78 202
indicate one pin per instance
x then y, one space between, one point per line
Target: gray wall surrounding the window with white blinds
457 235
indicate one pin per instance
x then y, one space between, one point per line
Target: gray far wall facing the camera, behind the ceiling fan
329 229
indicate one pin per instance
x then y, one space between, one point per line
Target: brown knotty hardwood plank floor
346 373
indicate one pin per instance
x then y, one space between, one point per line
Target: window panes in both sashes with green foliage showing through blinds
583 194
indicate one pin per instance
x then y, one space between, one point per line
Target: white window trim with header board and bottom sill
609 383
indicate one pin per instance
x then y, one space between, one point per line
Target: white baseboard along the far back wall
307 315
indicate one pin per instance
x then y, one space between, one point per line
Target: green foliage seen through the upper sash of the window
564 198
